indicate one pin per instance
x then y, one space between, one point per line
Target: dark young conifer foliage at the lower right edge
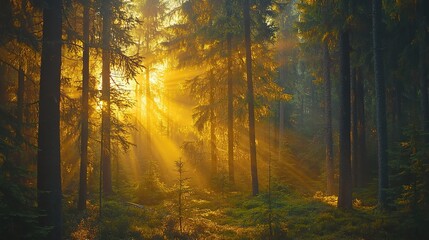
410 187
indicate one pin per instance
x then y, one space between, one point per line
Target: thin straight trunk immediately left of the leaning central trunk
230 100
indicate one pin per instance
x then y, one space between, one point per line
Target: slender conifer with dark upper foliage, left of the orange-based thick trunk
318 27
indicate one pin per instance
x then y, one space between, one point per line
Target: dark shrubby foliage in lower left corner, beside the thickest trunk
18 213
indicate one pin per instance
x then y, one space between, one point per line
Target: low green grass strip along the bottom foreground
239 216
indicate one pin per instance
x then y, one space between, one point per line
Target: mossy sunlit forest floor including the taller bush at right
293 209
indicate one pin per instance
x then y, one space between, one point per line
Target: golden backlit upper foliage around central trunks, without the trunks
200 41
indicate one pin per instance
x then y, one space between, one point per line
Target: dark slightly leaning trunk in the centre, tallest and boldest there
250 99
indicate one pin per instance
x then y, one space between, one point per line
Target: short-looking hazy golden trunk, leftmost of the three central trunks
212 129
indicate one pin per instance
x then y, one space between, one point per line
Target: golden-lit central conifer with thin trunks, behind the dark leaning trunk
201 43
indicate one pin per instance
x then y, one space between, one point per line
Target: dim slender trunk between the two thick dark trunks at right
361 168
